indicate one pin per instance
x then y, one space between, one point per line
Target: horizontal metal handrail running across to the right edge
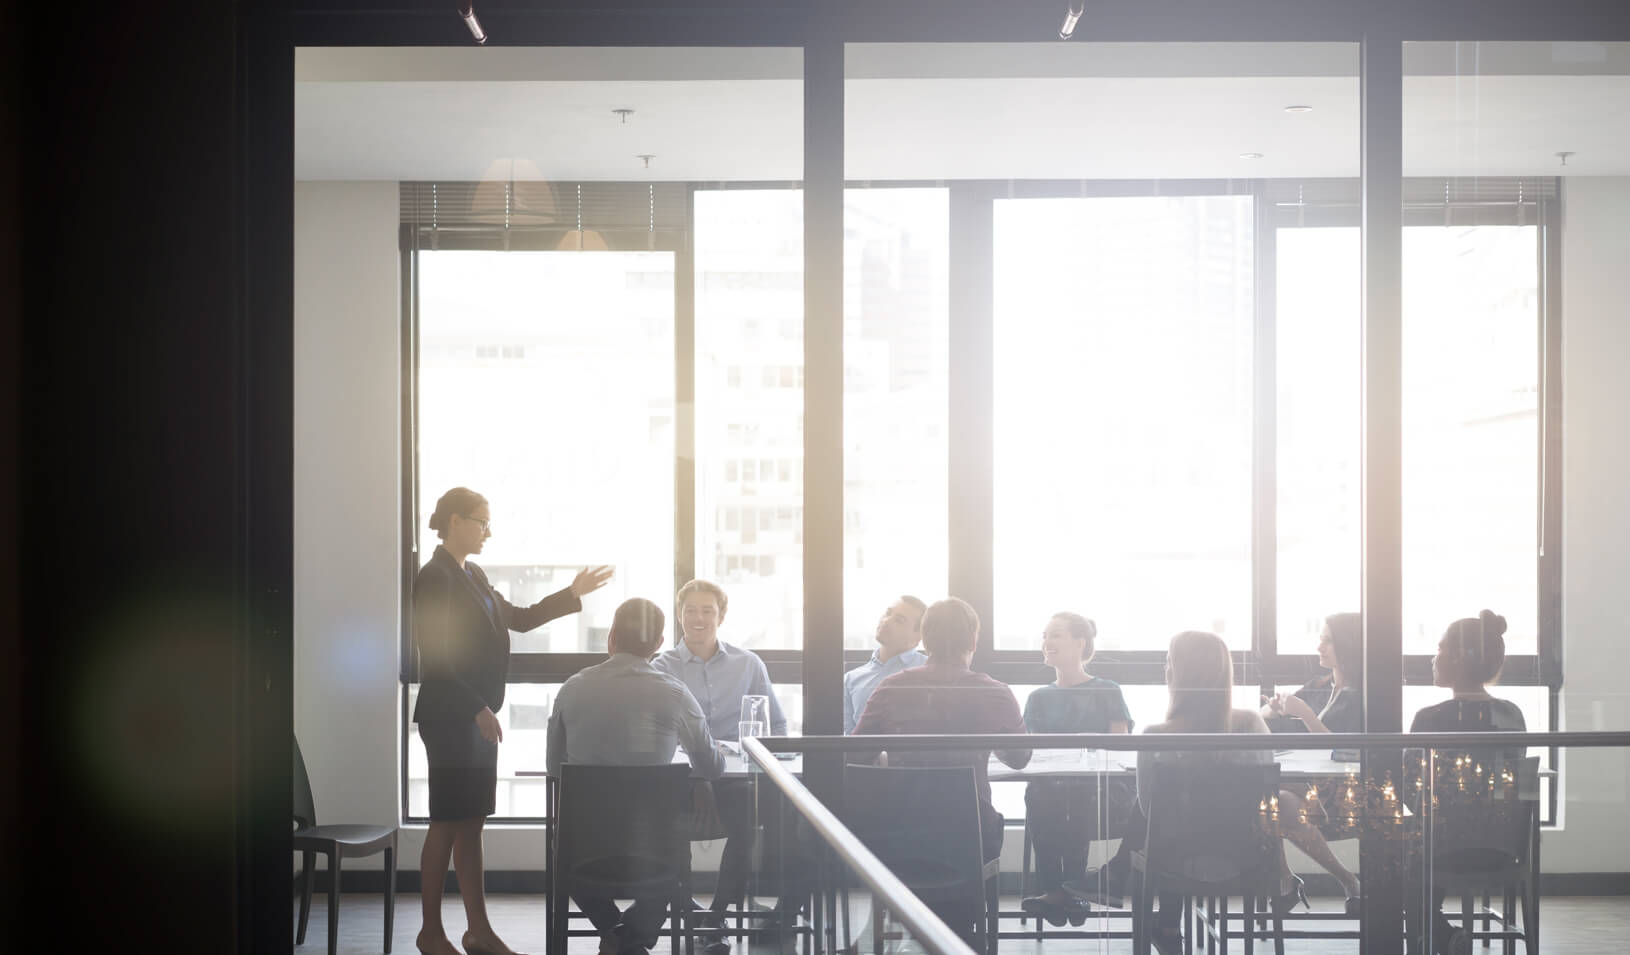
1140 742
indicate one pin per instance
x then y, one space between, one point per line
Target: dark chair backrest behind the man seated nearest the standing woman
623 812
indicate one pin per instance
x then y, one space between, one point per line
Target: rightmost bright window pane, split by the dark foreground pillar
1471 429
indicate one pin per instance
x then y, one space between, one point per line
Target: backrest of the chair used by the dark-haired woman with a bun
1486 811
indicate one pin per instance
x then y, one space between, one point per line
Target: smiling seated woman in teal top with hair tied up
1065 814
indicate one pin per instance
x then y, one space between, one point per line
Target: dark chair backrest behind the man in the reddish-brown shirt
919 821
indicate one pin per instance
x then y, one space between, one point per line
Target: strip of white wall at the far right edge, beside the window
1597 519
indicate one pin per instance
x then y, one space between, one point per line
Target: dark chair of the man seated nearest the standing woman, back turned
620 835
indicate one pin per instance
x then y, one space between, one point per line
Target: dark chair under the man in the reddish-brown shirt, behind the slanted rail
923 824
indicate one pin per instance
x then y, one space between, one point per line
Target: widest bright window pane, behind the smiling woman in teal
1124 416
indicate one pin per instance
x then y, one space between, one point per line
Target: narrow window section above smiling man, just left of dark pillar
751 410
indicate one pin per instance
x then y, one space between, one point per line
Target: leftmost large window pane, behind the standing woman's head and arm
547 384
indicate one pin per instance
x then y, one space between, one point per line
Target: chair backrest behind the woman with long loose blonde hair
1214 822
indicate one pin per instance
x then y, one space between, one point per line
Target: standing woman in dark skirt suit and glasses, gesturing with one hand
462 628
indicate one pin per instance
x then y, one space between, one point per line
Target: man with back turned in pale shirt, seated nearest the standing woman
627 713
